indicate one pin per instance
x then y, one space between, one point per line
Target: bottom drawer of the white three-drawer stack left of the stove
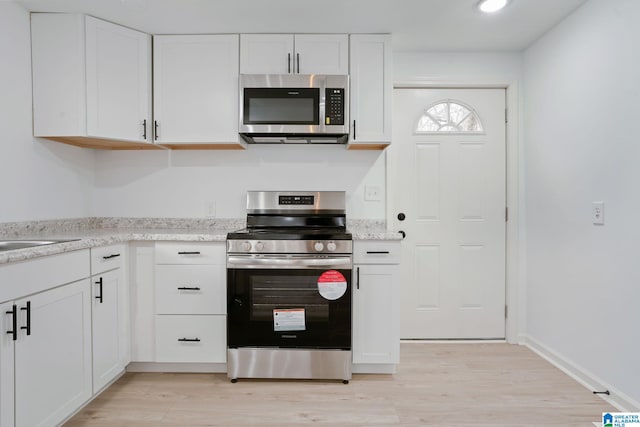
191 338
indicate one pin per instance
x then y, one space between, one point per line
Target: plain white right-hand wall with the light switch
582 104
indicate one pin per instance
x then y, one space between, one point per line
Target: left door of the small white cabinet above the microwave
266 53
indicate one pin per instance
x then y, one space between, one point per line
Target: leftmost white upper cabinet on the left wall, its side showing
91 82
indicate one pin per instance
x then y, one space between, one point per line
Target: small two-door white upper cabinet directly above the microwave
294 54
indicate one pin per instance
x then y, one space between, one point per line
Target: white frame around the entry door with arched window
514 248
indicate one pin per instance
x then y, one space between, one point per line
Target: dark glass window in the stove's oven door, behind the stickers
271 292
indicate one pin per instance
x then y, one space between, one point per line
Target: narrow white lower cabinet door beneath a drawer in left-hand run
106 322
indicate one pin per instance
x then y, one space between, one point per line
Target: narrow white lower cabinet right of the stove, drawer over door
376 336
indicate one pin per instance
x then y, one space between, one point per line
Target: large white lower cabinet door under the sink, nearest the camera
53 362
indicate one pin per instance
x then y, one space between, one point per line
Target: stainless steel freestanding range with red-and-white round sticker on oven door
289 288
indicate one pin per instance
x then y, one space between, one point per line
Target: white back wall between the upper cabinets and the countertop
182 183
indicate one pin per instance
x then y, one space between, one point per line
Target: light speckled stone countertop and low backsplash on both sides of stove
95 232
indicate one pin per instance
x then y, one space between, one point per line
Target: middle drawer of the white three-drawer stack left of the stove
190 289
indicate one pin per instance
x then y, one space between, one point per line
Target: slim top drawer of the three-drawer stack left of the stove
190 253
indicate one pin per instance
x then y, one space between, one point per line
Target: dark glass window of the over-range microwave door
281 106
